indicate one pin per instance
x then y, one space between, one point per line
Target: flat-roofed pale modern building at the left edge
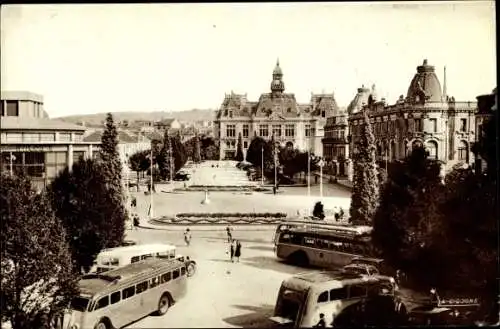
33 143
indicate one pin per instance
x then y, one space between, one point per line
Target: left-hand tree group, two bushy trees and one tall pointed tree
48 237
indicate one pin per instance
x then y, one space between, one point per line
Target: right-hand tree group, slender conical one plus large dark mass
440 232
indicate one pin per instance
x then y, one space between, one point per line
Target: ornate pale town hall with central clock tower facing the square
276 113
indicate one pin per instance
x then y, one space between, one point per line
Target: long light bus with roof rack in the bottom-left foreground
118 297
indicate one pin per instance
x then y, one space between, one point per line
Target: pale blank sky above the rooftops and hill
171 57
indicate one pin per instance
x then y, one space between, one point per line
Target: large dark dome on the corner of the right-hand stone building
424 86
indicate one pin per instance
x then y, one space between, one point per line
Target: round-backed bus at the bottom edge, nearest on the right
340 297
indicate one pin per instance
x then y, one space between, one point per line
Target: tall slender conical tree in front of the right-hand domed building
365 193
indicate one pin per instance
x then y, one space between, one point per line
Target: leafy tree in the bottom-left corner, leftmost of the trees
36 267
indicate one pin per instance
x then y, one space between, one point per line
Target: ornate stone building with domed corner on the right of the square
427 116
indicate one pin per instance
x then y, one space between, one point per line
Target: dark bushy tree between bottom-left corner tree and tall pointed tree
87 205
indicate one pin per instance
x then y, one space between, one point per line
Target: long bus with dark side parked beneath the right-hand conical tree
322 245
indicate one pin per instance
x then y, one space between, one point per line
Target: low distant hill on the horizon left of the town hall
97 118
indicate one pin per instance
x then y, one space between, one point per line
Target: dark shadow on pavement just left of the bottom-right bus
257 318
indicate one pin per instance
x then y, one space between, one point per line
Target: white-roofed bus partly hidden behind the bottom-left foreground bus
112 258
